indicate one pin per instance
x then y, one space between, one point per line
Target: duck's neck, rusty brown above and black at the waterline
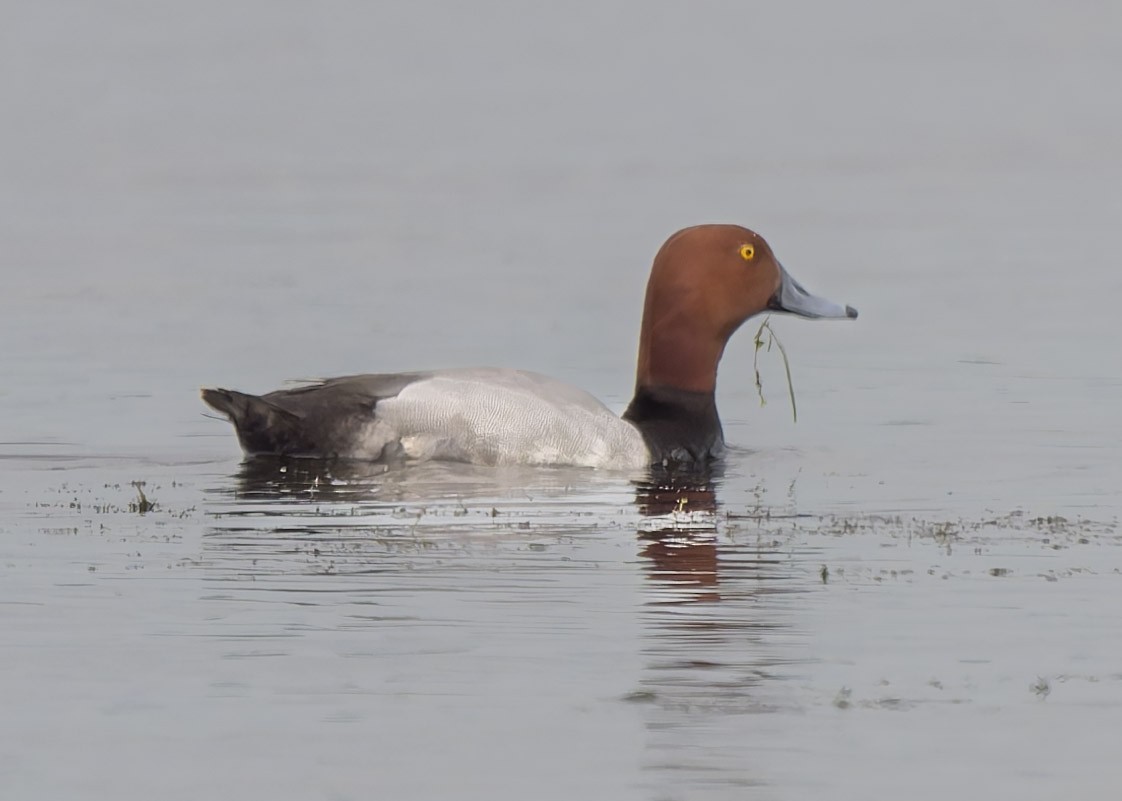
675 408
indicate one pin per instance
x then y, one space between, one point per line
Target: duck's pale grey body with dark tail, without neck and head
480 416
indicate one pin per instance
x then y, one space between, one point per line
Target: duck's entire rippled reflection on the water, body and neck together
716 631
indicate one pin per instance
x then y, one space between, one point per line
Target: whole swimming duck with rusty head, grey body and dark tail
706 282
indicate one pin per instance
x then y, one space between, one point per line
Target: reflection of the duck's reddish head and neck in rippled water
715 637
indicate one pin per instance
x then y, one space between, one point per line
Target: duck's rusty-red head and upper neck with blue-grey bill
705 283
